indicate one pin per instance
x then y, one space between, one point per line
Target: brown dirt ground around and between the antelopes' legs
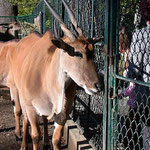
7 137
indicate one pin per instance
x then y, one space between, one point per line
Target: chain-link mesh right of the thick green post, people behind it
131 111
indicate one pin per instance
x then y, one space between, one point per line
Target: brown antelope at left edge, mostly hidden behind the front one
4 73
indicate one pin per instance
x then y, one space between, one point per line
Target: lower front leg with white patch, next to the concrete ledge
56 139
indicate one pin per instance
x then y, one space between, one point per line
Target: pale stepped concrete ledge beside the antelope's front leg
73 139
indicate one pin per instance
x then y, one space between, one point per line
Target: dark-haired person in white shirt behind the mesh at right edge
138 122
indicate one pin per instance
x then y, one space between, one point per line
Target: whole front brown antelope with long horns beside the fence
45 73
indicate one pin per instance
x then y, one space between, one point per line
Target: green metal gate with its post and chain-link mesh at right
128 122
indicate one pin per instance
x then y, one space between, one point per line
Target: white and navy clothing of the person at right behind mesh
139 64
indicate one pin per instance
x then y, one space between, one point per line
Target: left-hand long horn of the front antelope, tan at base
64 28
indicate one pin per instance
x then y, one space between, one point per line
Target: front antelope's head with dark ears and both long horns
77 54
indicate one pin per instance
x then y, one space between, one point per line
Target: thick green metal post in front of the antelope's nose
110 44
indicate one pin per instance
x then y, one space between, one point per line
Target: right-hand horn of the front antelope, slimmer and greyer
72 18
